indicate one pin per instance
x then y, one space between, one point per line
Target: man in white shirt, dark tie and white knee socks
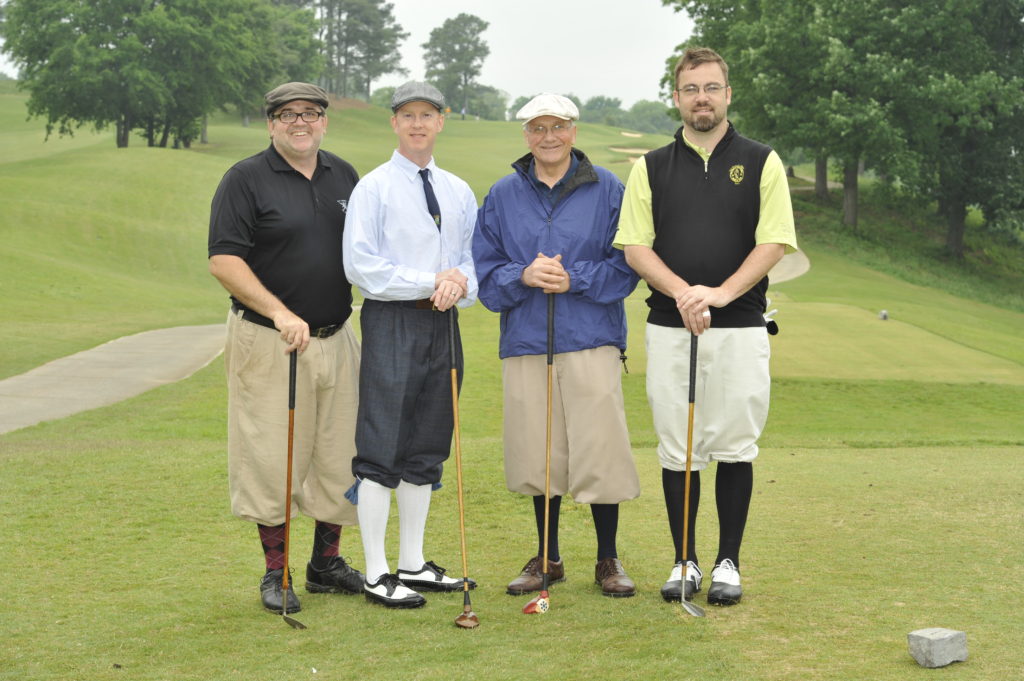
407 247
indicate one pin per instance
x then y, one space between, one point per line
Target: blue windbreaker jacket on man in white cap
516 224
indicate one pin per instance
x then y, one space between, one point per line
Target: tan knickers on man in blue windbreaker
591 458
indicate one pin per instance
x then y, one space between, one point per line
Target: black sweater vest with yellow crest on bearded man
705 220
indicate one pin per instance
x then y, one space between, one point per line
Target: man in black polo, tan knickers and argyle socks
276 229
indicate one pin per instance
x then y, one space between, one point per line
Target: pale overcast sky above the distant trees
587 48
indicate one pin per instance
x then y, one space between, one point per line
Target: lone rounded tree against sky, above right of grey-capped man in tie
454 57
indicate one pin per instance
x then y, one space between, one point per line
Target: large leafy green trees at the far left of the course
135 65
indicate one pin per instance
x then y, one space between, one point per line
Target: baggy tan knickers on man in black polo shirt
326 404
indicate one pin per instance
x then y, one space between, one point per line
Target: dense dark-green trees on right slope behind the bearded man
929 95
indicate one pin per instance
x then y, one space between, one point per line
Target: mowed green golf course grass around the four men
887 496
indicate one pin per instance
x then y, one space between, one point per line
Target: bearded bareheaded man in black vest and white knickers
704 221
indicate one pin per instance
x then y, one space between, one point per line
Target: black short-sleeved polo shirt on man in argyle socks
288 231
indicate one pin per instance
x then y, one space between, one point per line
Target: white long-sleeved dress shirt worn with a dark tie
392 247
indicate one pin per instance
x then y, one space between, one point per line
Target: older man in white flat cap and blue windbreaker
546 231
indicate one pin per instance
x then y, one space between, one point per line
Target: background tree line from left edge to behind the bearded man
161 68
